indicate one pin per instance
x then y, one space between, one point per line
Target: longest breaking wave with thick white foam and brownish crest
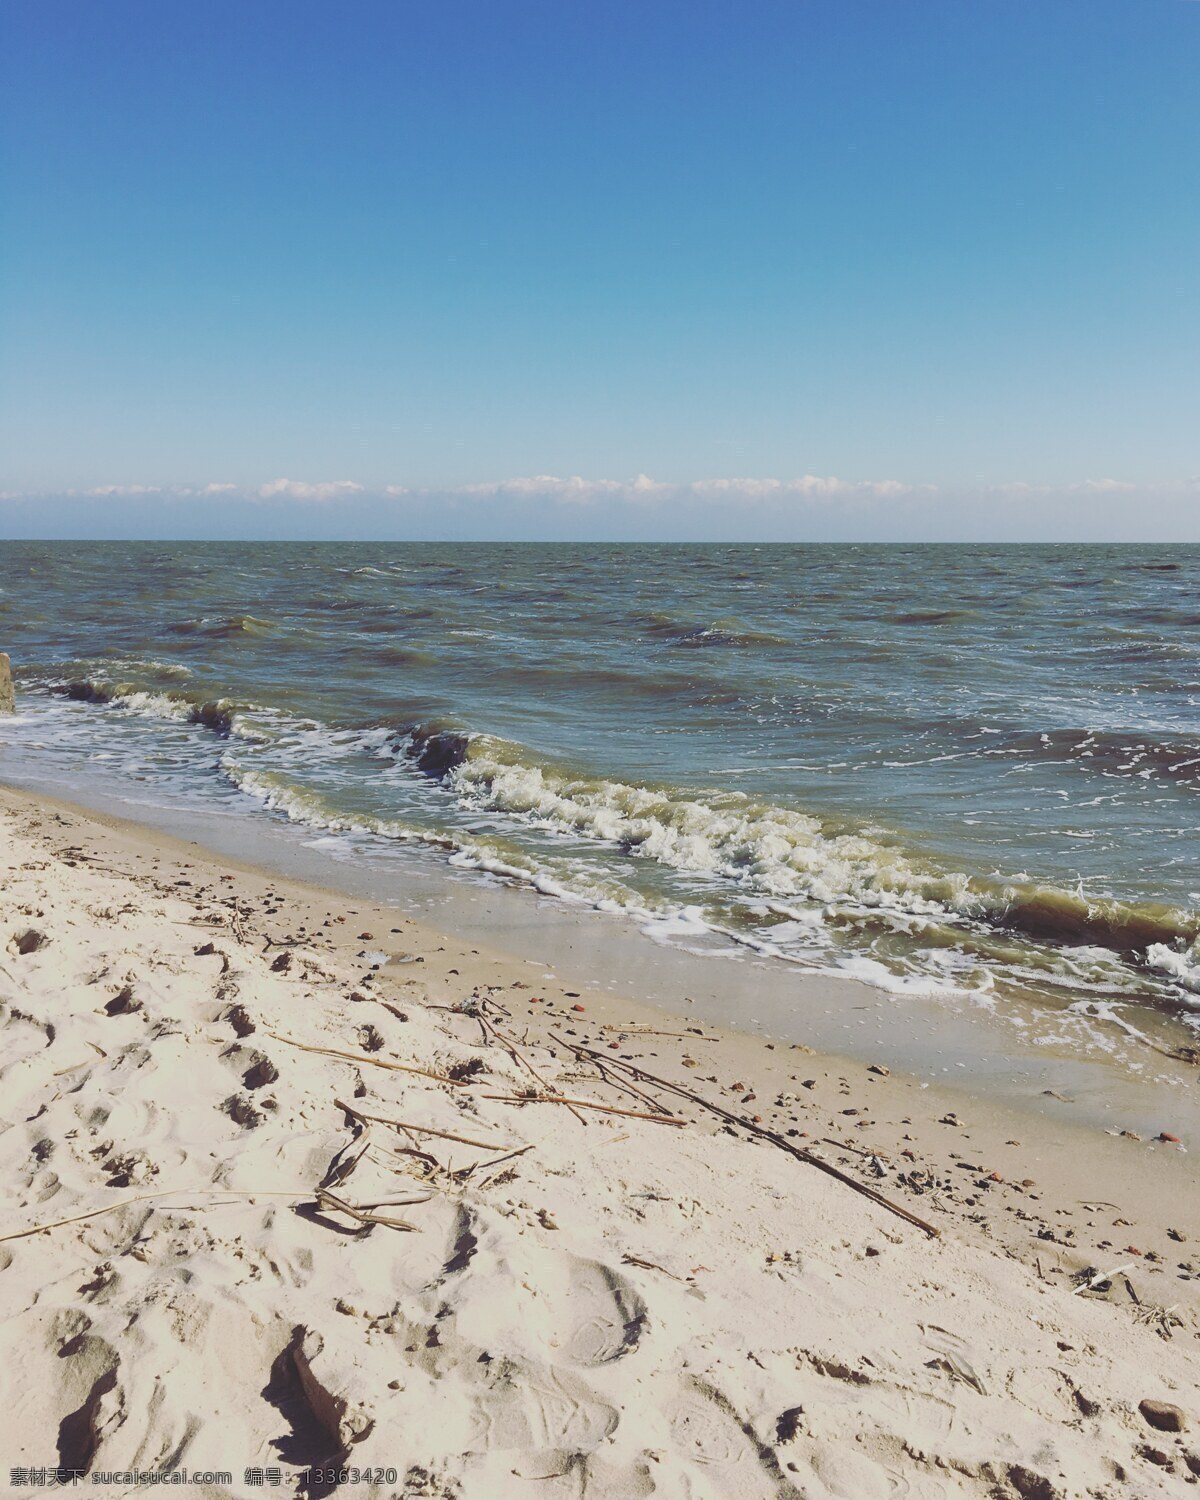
785 854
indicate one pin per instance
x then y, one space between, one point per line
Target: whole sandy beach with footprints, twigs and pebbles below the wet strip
316 1198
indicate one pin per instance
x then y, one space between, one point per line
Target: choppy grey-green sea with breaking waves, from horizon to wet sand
952 767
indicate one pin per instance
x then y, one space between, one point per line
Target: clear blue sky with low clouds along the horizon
781 268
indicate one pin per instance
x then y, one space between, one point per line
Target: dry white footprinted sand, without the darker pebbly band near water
625 1310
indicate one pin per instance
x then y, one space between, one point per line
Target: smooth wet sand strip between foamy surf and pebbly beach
1007 1051
